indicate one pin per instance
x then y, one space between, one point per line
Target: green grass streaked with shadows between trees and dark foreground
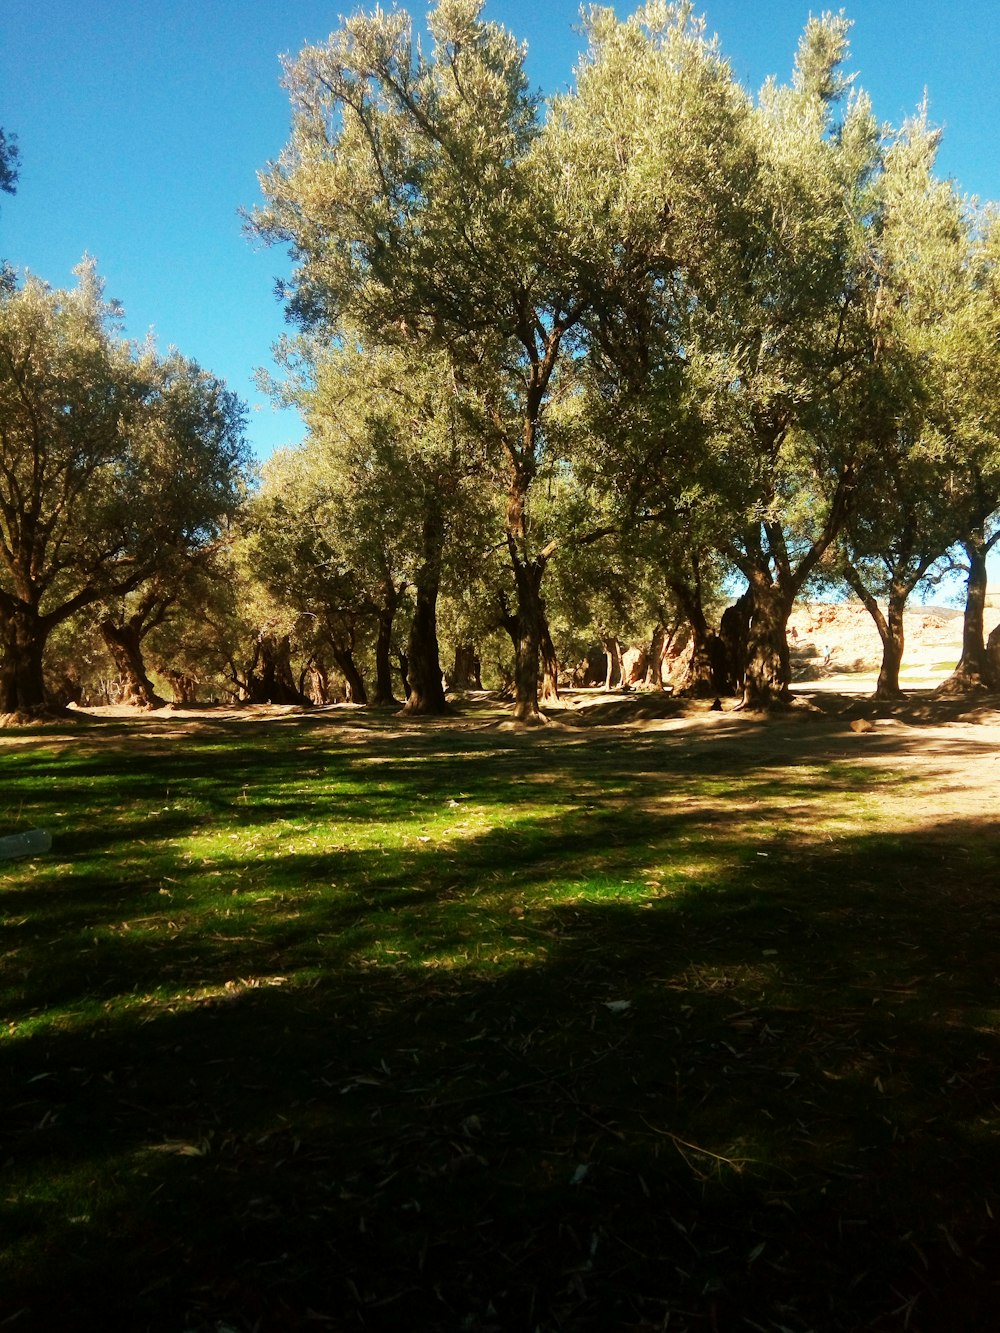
114 931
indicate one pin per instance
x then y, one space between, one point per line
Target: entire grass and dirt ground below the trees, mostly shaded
651 1020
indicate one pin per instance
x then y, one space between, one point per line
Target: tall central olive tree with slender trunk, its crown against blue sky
430 207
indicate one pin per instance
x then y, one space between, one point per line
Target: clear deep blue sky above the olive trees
143 123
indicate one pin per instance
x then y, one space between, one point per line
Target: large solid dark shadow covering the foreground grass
767 1100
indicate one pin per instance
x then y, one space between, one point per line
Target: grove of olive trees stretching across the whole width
574 371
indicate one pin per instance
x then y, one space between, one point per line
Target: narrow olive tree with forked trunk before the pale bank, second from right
903 519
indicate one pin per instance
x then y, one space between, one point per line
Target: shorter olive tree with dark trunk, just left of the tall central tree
402 473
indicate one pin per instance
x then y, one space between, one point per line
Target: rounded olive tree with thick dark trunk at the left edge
113 459
